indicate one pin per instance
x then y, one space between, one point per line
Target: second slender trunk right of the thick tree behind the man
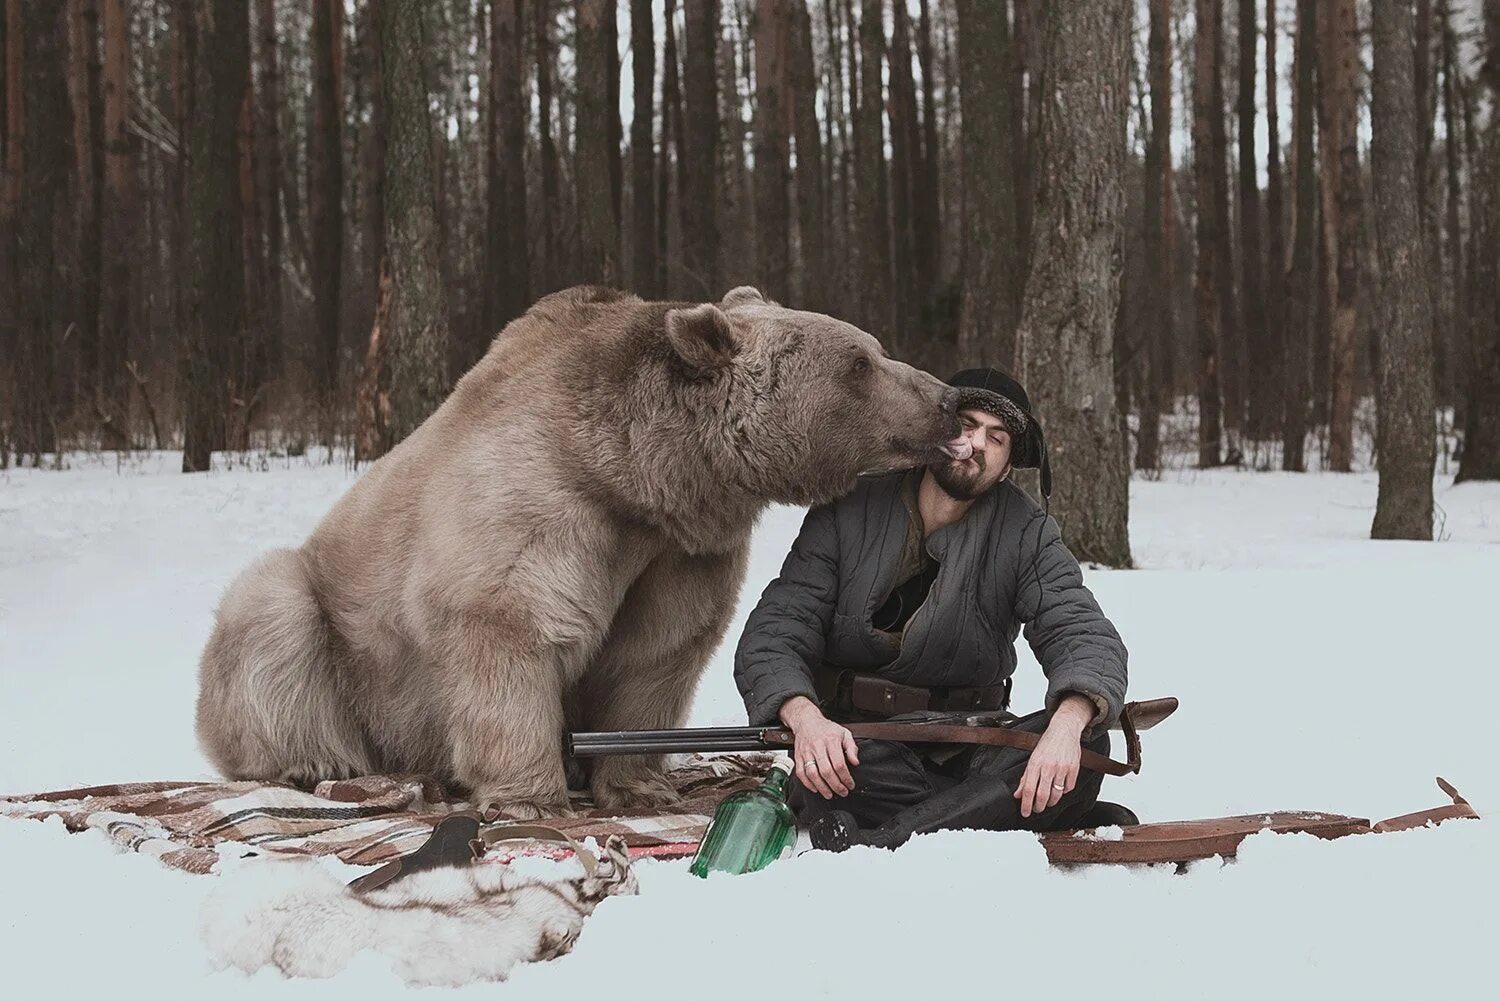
1207 289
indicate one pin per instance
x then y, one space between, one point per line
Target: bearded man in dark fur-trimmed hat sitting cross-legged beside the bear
904 601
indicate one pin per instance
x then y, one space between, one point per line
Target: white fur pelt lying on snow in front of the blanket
443 927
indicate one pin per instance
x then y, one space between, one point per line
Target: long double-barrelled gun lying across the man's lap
977 730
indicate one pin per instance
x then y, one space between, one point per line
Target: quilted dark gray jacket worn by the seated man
994 579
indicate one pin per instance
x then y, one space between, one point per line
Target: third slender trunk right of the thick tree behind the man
1258 358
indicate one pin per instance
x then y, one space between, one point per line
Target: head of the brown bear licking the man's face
806 403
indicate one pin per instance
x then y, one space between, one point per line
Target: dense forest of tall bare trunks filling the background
1270 242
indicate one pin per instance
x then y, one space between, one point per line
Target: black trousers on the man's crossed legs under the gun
904 790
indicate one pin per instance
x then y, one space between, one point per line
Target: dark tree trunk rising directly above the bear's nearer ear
701 148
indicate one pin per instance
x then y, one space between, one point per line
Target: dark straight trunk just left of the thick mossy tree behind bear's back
326 199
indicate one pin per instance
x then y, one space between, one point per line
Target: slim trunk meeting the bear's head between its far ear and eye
812 224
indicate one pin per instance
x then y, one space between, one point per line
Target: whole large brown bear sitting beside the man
560 546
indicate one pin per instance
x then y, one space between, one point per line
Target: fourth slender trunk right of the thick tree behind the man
1273 392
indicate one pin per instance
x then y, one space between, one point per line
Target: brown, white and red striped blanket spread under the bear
364 822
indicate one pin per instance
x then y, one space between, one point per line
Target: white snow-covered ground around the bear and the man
1318 670
